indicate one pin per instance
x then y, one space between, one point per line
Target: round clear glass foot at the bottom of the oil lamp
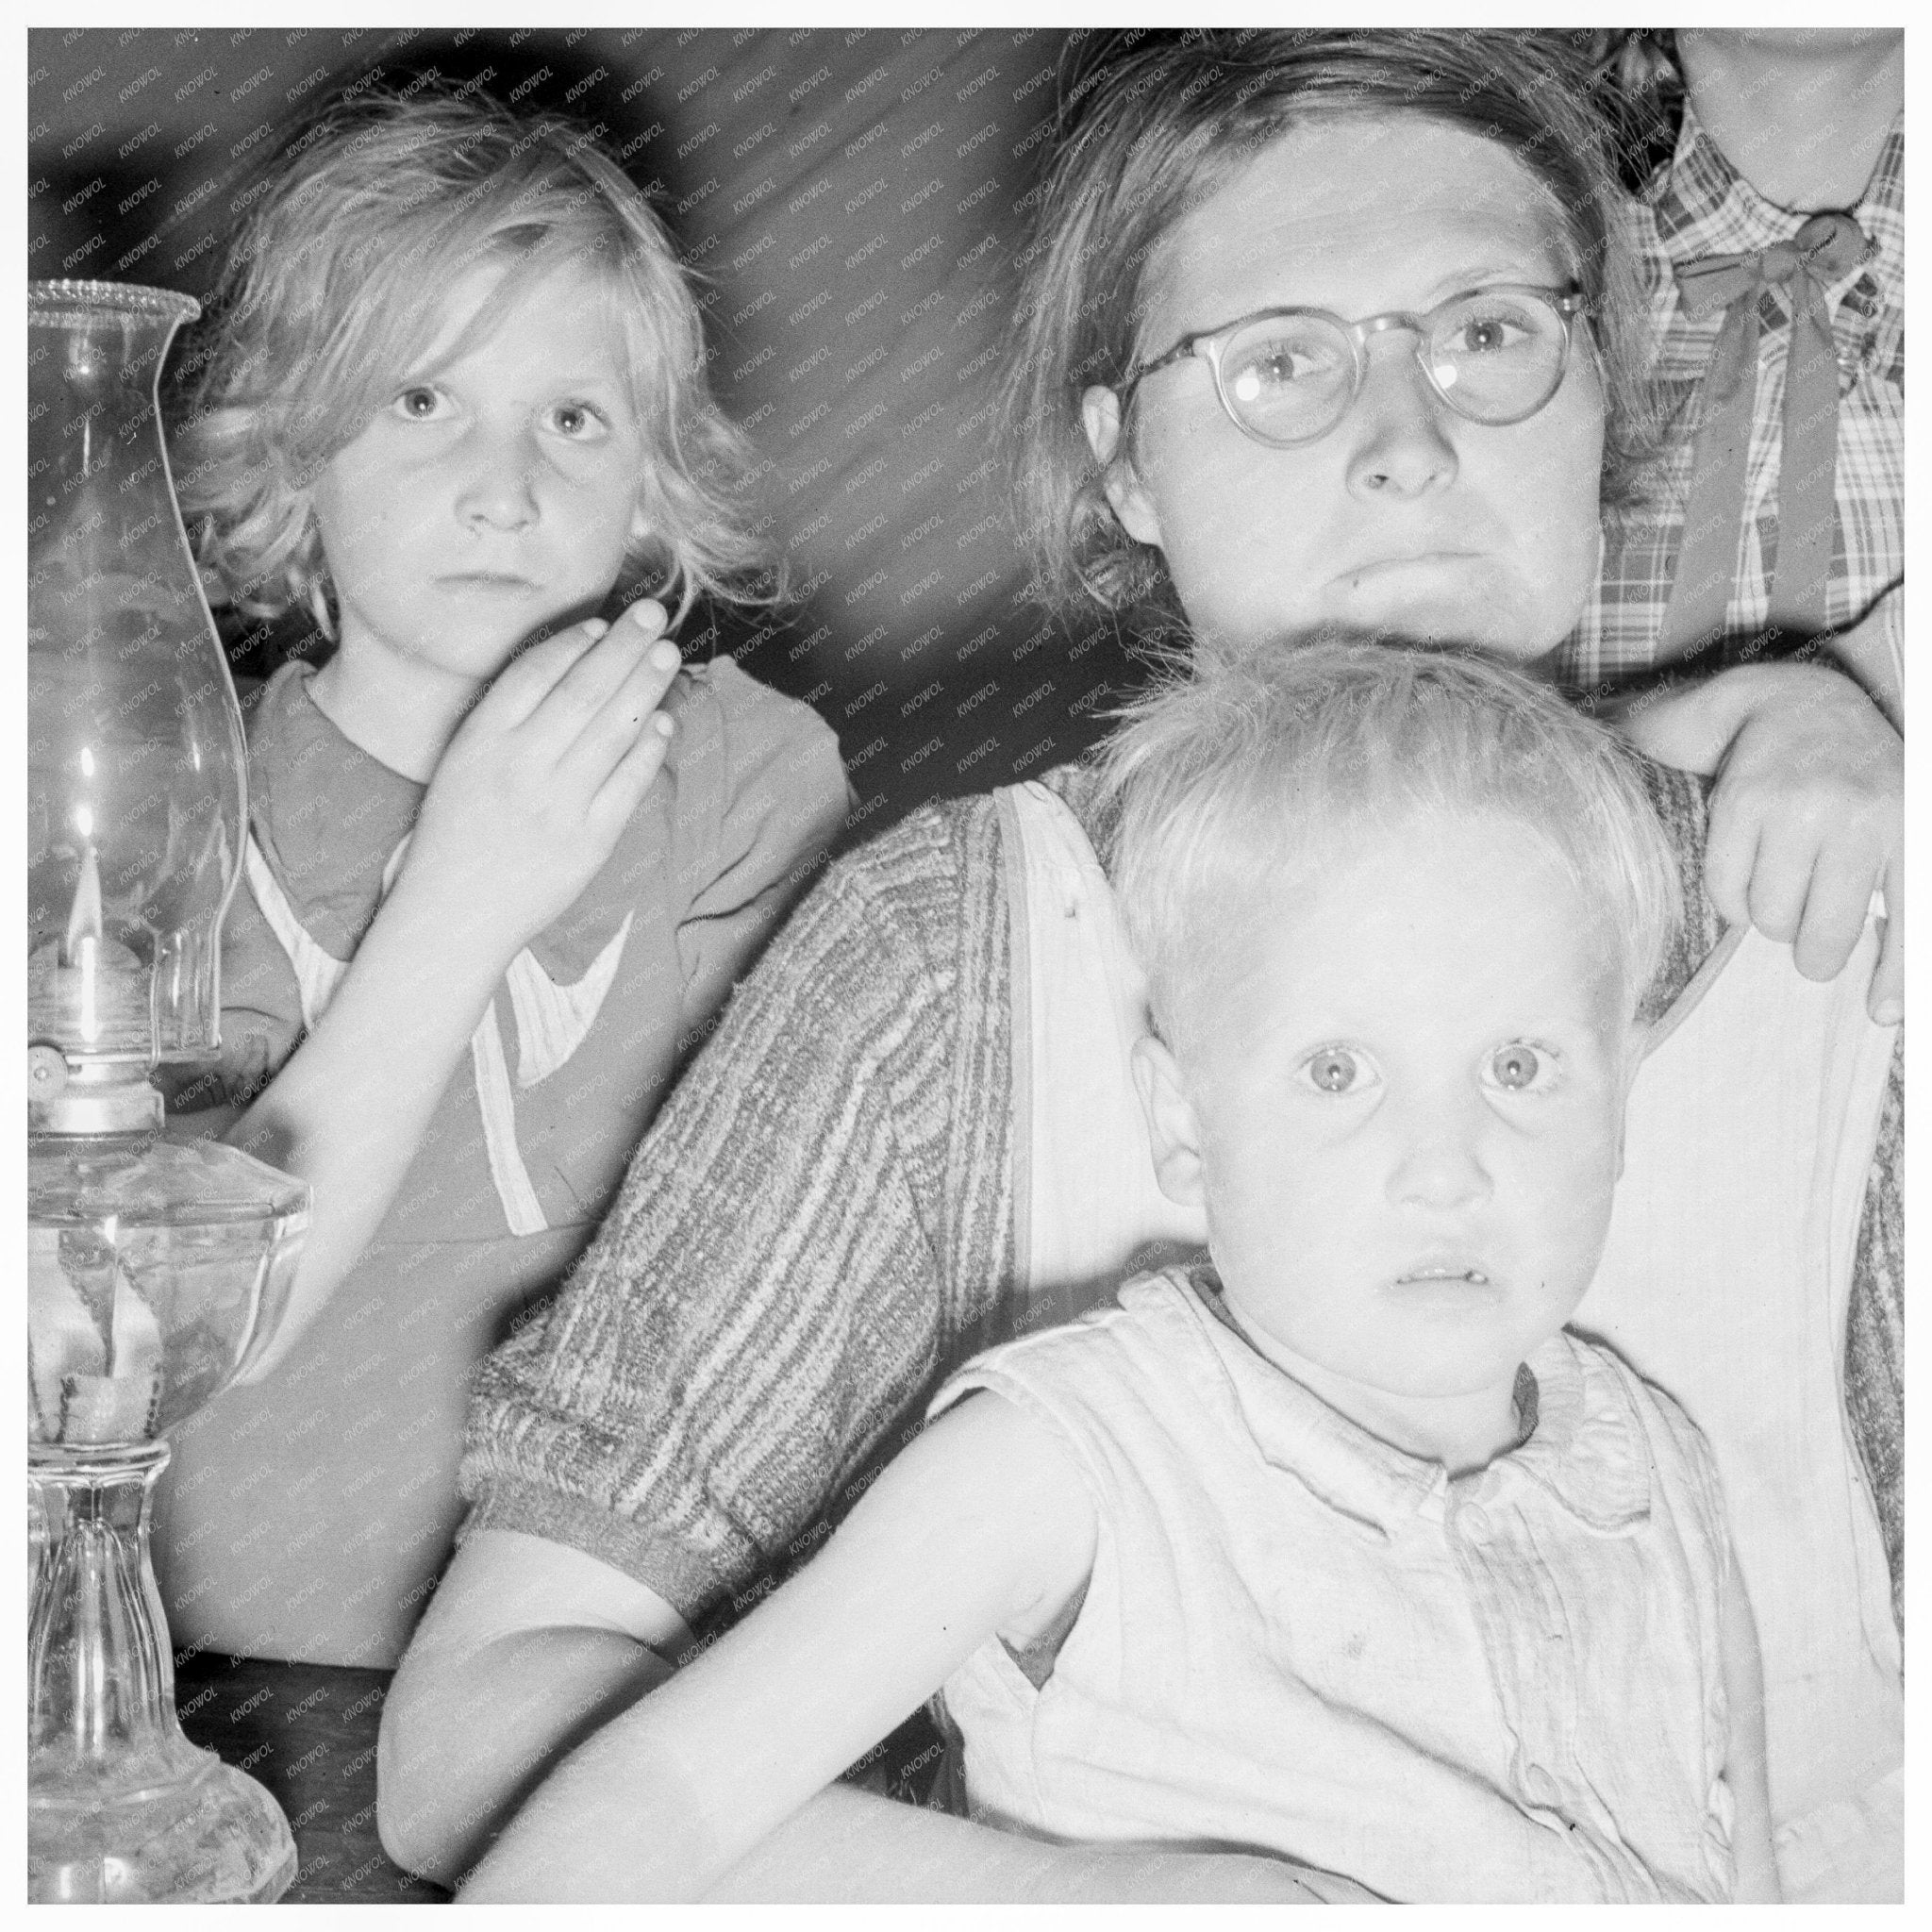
212 1836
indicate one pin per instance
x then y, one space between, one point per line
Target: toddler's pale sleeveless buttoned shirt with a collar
1500 1688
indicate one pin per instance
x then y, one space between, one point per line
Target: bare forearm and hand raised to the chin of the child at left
525 809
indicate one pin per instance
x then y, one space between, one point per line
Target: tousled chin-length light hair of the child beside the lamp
333 287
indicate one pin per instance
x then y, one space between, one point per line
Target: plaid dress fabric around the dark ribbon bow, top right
1703 208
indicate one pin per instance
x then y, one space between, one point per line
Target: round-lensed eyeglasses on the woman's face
1290 376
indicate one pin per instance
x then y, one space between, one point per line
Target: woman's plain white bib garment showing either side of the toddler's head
1726 1282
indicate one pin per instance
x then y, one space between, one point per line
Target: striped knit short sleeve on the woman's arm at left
805 1239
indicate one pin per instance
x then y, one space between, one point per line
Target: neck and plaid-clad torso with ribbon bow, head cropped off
1771 235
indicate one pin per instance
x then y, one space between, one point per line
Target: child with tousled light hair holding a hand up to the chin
505 857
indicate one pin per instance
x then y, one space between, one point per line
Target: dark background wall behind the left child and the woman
853 200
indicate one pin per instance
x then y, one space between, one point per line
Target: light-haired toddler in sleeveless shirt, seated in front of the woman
1338 1547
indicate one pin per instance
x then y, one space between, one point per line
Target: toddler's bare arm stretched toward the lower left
979 1525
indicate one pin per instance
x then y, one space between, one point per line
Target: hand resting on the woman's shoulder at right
1807 816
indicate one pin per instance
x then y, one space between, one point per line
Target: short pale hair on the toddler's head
1239 766
